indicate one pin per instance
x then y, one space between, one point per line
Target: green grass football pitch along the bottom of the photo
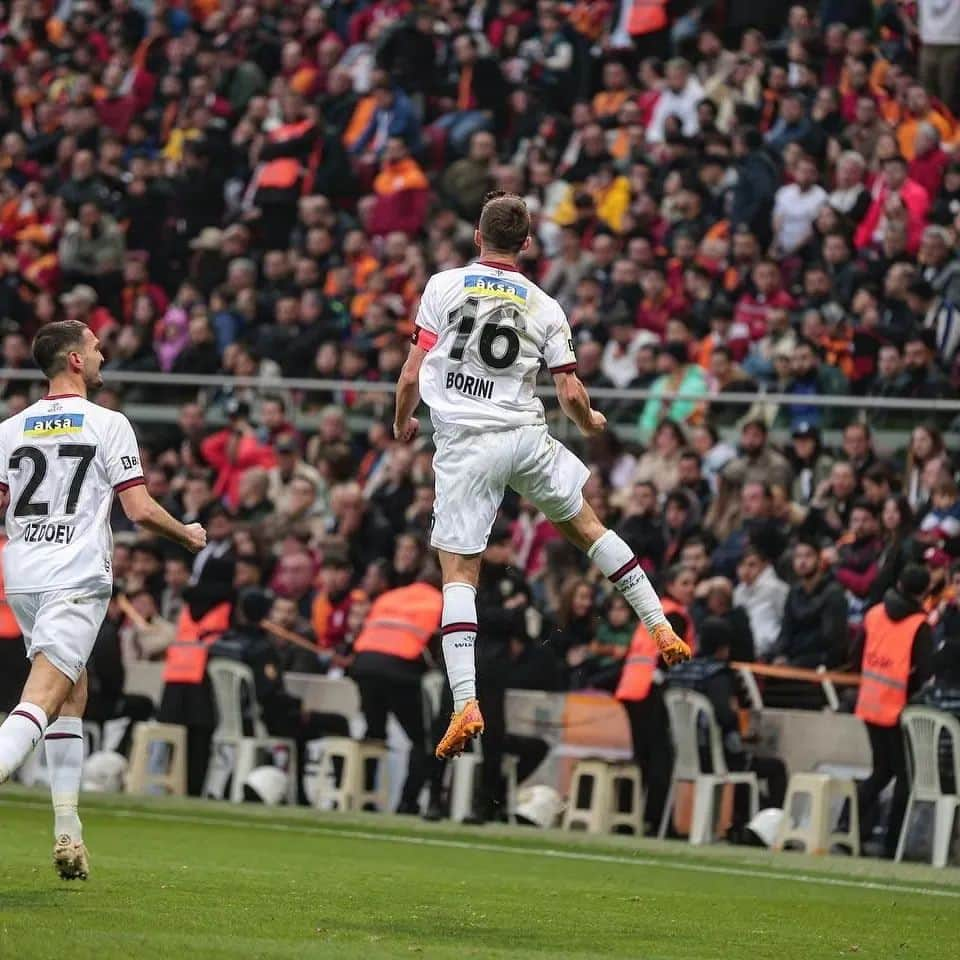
184 879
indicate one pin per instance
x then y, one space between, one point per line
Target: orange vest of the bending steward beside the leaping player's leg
401 622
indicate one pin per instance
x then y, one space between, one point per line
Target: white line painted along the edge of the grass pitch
550 852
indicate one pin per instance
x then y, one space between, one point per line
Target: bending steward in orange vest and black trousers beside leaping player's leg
388 668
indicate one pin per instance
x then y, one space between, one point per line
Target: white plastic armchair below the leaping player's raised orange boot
686 708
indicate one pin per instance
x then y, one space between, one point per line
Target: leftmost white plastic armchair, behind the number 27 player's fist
228 679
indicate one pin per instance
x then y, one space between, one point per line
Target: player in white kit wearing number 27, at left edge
61 461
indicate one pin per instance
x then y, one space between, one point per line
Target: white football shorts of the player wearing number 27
61 624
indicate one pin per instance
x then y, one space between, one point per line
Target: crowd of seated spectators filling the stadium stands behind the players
726 197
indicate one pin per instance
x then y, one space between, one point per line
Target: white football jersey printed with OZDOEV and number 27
61 460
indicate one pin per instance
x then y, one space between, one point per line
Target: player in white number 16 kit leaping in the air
480 336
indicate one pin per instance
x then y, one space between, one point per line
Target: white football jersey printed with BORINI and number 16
486 330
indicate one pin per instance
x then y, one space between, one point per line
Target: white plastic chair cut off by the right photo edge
922 727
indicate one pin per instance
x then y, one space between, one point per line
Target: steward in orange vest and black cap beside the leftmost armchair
187 695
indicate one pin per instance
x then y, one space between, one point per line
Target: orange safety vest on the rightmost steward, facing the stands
886 666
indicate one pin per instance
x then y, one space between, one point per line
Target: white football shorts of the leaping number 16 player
474 469
